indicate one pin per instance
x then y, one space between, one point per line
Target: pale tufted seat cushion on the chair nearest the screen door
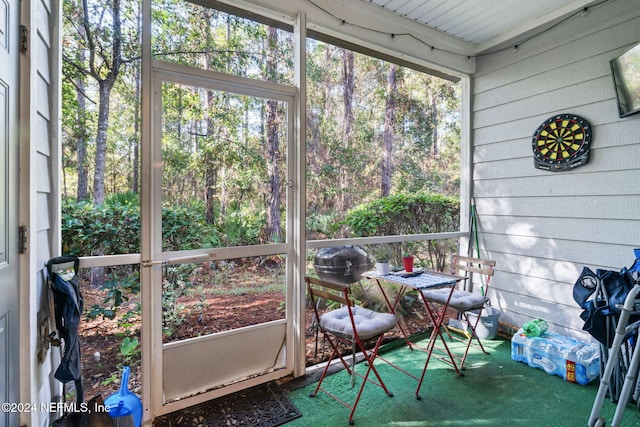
369 323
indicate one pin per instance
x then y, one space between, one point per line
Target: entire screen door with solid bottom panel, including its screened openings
241 133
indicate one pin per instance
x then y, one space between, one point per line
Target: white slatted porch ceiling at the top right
486 24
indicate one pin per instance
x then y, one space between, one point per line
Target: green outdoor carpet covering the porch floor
495 391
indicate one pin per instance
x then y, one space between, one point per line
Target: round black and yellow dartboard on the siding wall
562 142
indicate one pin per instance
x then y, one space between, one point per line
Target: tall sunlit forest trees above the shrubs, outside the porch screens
374 128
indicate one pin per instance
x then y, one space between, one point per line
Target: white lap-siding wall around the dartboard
543 227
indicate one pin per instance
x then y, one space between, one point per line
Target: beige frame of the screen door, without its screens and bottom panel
153 349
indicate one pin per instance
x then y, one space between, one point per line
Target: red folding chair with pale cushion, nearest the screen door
349 327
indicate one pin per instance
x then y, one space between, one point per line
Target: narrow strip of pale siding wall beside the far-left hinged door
40 166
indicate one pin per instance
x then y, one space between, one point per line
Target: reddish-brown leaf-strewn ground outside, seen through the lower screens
100 338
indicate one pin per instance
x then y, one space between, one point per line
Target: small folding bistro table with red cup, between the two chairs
417 281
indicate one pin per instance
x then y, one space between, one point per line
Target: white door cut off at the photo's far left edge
9 302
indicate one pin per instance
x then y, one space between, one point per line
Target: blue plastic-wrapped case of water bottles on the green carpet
573 360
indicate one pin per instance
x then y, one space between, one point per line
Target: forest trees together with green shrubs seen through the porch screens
382 143
